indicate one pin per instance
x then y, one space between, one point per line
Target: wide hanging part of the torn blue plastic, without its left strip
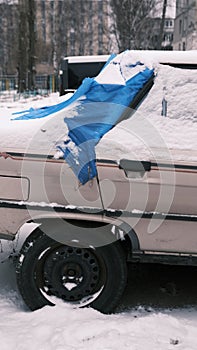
97 114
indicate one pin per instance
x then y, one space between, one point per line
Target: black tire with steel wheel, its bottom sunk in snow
47 268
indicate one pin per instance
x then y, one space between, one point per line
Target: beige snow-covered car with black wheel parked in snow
134 210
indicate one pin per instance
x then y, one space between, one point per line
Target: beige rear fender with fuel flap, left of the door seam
35 185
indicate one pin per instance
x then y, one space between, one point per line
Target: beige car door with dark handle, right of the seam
157 200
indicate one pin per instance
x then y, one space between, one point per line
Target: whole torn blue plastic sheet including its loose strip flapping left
98 109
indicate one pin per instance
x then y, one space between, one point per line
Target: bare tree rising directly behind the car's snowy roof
132 23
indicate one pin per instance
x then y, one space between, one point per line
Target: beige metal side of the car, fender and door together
158 204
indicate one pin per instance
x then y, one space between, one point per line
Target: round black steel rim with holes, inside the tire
71 273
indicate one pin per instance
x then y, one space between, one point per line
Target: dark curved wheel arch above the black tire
104 227
